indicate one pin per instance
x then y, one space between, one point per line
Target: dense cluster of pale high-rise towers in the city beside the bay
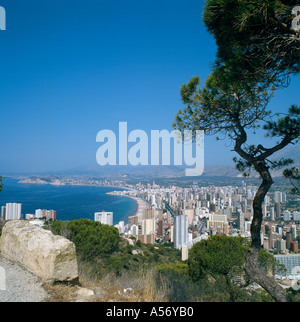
186 215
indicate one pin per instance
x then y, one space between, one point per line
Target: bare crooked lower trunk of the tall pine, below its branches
251 266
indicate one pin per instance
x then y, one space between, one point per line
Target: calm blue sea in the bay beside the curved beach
69 202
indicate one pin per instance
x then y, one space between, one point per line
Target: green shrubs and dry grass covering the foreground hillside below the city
213 273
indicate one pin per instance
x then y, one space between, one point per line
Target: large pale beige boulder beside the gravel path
51 258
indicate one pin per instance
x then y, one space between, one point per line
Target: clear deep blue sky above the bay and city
72 68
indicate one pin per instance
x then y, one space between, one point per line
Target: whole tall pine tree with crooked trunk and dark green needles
257 52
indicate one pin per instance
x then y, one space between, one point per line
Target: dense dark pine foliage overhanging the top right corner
255 39
